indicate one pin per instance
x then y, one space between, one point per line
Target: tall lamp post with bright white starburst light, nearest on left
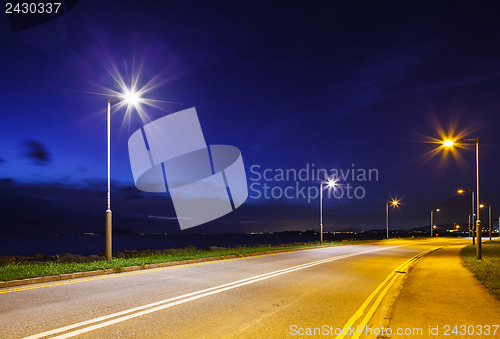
133 99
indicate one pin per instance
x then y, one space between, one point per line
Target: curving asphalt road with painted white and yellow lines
273 296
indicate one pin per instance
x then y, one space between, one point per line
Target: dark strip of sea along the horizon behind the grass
94 244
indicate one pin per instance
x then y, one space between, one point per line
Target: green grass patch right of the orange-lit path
487 270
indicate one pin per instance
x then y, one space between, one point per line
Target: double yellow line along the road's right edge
388 282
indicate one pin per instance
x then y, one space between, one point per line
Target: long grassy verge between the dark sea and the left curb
23 271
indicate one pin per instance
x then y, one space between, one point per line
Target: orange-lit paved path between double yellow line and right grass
440 293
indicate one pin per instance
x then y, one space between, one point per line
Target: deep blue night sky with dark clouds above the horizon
351 85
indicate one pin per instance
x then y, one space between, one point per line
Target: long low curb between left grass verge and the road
51 278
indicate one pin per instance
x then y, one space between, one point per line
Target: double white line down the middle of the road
166 303
